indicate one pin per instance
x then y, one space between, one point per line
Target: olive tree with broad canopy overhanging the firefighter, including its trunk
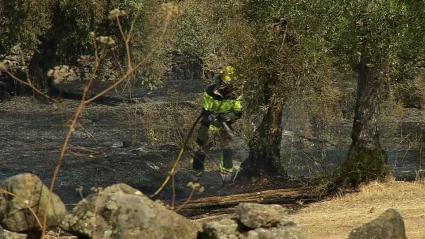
279 53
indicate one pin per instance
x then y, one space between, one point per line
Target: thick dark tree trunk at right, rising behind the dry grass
366 159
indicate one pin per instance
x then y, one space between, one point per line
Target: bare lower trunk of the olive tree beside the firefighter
264 155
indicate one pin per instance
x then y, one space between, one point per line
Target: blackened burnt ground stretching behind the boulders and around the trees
108 148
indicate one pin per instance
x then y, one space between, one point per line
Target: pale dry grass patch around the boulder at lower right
336 217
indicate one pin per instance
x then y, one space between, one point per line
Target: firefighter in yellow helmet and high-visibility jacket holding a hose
221 108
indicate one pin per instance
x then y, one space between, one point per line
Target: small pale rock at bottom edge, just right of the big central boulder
224 229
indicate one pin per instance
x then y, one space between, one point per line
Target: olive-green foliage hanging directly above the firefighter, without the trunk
242 33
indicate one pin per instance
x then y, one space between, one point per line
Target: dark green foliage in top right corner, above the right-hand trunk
385 32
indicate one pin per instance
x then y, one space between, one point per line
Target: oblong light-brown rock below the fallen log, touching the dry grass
254 215
